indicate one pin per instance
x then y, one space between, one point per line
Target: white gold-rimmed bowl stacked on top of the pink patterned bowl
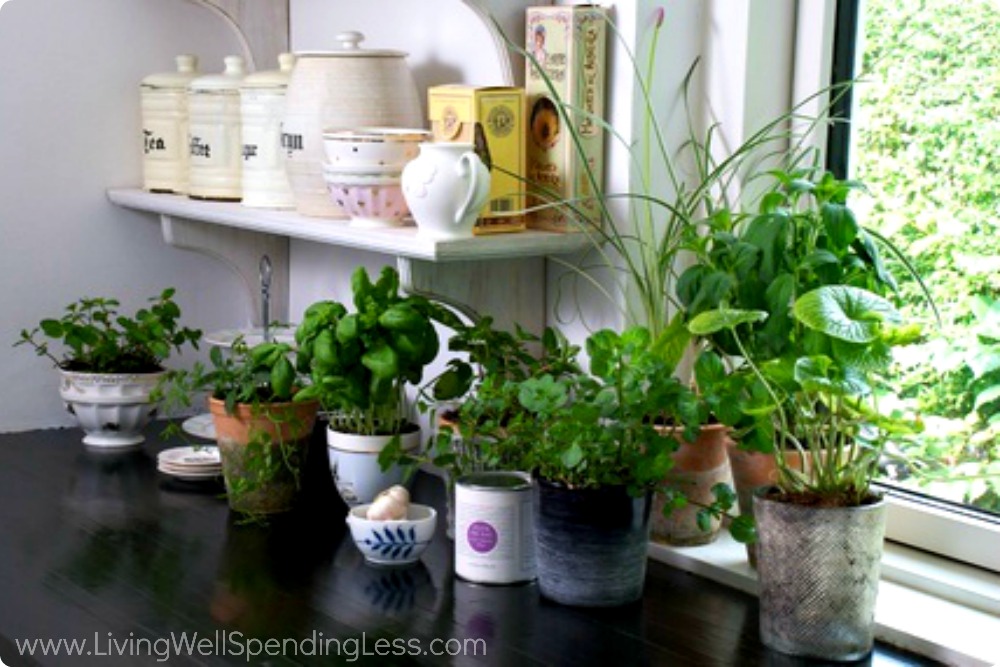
367 147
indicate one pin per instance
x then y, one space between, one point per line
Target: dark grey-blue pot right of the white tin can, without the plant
591 544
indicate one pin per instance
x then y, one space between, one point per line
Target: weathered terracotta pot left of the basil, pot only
286 425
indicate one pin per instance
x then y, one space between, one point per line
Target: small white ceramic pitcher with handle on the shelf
445 187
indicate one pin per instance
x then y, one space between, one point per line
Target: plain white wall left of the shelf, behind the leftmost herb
69 115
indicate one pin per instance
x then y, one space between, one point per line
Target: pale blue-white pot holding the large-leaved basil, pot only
354 464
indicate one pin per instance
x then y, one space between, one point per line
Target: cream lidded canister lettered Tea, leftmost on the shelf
163 99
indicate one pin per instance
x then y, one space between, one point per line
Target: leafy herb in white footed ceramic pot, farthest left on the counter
111 363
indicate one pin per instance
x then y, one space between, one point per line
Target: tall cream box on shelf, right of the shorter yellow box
569 45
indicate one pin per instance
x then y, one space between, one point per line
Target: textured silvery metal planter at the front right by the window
819 571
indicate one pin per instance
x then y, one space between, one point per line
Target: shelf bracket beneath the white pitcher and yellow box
512 291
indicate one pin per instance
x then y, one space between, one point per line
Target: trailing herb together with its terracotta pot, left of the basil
262 432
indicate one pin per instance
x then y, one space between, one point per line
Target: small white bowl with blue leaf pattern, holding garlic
393 542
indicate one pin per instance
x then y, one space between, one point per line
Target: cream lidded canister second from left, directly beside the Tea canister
215 141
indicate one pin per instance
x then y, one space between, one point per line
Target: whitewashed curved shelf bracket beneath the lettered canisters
240 250
